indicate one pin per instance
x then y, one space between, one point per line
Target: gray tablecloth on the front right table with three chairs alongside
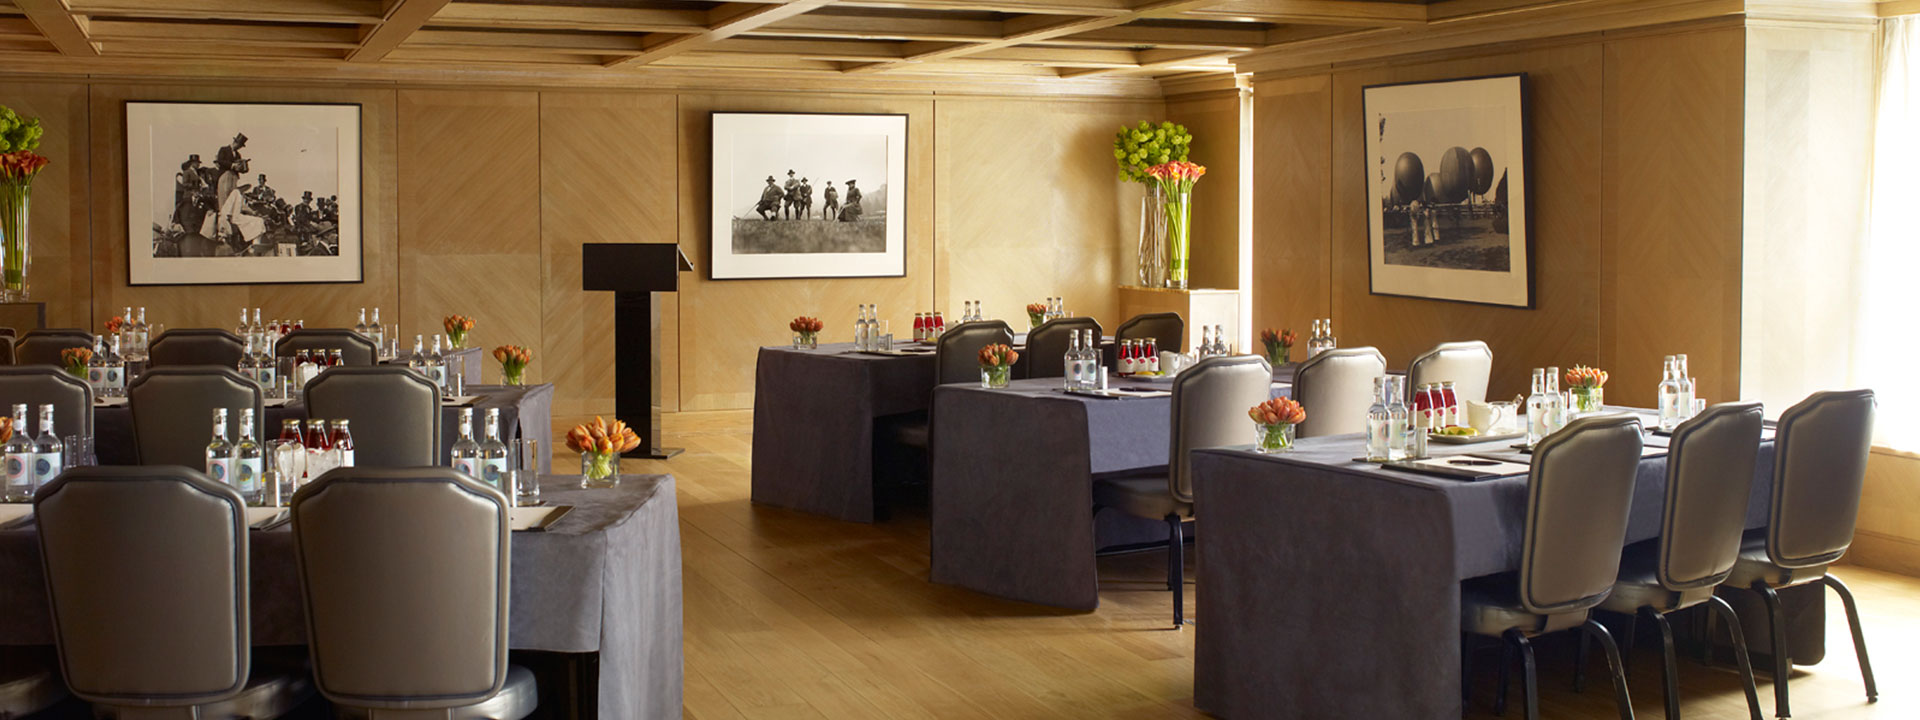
1332 588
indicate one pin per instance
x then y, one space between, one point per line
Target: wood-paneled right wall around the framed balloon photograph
1637 172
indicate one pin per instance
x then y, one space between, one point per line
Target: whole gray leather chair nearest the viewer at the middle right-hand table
1211 404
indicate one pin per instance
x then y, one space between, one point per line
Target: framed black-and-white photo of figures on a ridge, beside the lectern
809 197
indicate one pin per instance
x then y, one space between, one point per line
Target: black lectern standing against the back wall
635 274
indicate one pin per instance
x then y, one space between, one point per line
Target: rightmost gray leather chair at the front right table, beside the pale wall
1819 466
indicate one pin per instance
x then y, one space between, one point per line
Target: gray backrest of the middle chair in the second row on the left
174 406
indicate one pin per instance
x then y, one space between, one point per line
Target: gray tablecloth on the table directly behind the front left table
525 412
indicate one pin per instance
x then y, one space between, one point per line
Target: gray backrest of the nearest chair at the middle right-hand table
1211 404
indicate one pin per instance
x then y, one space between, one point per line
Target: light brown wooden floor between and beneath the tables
800 617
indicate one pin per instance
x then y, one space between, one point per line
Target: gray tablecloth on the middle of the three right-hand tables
1013 487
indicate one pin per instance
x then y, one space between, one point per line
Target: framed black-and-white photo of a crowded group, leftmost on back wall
243 193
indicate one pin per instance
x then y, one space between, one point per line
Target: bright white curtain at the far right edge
1888 347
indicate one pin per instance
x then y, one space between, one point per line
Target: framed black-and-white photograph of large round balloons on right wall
1447 191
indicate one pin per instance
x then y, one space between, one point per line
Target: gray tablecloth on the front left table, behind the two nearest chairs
606 579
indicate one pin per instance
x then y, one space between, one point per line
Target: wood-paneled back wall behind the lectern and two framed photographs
477 203
